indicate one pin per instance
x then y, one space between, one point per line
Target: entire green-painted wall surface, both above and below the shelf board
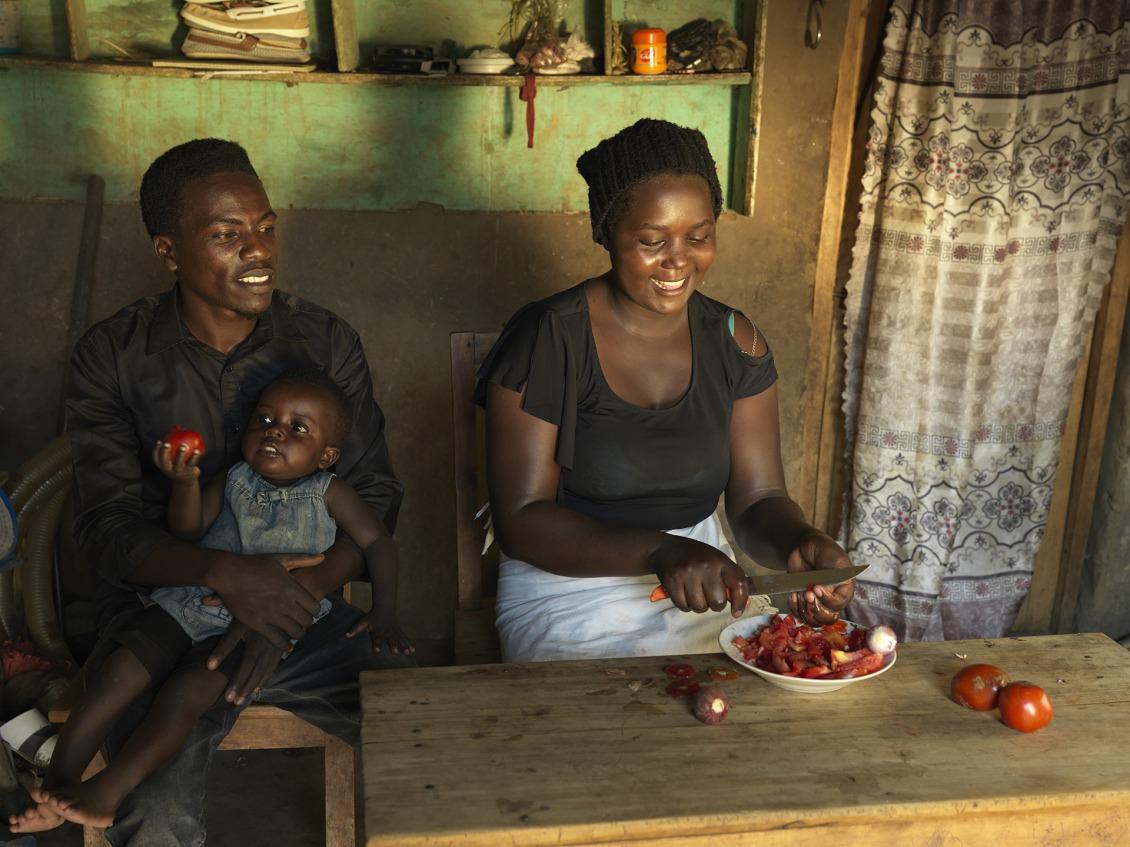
353 147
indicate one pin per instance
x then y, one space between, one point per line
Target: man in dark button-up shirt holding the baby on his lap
199 355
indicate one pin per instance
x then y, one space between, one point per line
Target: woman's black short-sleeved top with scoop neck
625 465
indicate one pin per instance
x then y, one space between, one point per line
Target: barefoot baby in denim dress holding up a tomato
280 500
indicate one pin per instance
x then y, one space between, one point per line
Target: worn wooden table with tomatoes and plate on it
567 754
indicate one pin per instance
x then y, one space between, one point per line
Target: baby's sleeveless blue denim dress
257 518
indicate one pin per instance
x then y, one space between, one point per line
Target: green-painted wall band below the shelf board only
323 146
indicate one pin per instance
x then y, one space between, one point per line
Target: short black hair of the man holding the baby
163 185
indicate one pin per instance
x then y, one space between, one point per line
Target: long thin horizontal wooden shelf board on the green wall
114 67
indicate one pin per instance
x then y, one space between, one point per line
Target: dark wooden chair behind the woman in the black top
476 641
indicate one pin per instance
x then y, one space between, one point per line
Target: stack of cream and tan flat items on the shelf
256 31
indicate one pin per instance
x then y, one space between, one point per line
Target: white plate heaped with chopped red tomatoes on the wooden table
798 658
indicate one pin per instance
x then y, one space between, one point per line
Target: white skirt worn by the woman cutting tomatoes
543 616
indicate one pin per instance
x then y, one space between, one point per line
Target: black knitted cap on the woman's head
636 154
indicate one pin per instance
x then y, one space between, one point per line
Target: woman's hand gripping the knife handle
699 577
